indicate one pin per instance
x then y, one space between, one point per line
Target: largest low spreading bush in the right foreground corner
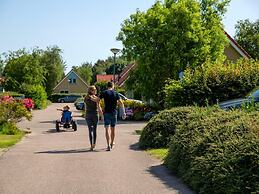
215 151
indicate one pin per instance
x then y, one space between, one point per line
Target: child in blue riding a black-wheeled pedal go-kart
66 121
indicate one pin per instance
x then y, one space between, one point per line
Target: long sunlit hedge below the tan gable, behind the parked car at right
211 83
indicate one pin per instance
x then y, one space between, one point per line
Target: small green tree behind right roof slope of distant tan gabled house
84 71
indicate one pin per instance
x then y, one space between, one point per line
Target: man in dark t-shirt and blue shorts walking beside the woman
111 98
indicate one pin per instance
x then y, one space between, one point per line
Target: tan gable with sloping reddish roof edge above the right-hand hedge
234 51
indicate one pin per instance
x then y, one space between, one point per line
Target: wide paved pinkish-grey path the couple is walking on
53 163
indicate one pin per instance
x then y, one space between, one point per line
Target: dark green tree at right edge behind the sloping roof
247 35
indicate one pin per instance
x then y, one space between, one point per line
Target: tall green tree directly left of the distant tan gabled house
54 66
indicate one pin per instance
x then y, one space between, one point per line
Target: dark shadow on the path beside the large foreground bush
168 179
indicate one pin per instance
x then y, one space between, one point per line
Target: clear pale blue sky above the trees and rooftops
84 29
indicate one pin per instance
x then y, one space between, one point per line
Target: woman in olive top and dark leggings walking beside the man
93 109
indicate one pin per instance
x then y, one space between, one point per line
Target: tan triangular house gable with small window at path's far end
71 83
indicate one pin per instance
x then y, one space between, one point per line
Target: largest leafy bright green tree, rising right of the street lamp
169 37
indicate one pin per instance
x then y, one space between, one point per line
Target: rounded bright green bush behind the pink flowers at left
37 93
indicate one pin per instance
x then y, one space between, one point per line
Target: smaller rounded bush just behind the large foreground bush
158 132
